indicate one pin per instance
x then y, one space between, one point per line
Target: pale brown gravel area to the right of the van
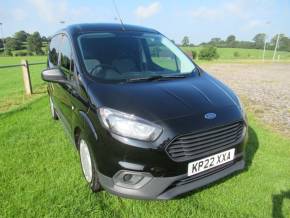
264 88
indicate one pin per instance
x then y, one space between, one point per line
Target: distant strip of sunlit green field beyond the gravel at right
244 54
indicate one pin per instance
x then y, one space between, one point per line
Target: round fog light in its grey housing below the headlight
131 179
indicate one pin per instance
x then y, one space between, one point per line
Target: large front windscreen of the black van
119 56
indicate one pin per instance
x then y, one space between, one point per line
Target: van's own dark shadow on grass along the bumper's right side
250 150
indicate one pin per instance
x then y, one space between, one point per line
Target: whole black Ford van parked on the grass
148 122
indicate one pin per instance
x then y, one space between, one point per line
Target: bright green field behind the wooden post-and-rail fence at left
11 82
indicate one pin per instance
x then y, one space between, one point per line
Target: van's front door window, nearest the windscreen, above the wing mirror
66 61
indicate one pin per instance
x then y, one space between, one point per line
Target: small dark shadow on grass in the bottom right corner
277 201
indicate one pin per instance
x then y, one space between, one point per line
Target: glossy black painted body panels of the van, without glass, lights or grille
177 105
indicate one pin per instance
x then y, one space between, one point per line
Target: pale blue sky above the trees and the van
200 20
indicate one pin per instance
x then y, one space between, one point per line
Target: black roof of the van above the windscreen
88 27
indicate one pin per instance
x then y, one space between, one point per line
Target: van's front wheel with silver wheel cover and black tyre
88 165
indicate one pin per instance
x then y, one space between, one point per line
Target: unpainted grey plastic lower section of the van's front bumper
170 187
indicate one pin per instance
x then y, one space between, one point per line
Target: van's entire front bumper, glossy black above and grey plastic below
113 154
